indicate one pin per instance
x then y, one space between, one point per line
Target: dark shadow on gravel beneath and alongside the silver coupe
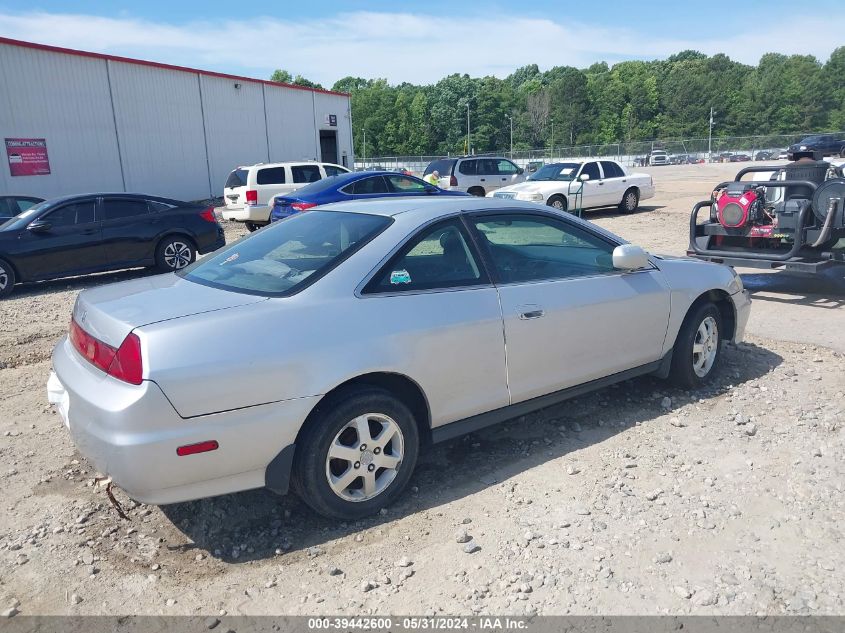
258 525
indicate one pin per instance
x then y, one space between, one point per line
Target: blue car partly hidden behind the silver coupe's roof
353 186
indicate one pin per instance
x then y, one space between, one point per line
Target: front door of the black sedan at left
62 241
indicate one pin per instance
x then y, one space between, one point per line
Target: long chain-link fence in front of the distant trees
765 147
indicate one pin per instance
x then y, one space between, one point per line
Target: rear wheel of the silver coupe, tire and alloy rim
329 484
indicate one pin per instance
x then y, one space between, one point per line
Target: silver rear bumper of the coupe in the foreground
131 434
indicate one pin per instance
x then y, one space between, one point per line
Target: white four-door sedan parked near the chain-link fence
605 183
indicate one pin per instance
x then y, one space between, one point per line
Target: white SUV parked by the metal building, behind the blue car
249 190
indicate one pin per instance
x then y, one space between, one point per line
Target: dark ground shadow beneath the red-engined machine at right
823 290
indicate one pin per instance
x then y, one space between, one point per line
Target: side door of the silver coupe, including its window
569 316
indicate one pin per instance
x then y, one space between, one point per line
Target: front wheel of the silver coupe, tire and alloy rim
698 347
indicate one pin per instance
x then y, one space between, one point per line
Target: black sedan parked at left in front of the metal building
81 234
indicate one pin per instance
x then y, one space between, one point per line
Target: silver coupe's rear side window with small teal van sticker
438 258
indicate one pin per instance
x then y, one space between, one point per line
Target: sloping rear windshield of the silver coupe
287 256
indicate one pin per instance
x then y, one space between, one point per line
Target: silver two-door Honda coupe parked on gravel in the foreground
323 351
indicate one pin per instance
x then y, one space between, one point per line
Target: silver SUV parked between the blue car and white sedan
476 175
